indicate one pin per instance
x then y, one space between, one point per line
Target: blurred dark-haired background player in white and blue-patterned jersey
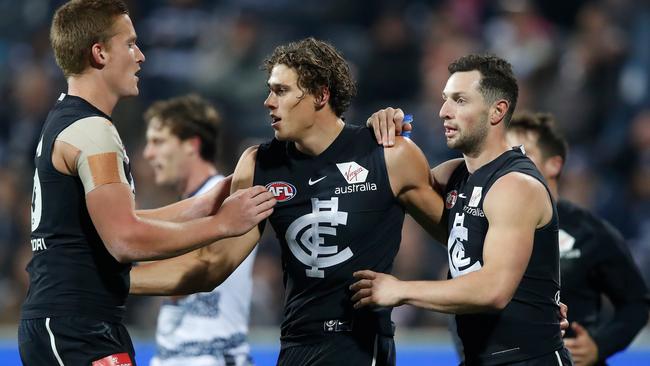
207 329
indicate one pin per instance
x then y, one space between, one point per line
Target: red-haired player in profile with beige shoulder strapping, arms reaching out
85 230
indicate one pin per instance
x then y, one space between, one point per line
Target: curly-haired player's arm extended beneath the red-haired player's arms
207 267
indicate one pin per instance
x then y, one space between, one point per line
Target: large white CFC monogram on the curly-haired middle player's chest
309 248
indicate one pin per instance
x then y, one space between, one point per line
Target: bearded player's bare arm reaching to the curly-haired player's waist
507 250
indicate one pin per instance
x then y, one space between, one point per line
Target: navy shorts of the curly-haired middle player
337 349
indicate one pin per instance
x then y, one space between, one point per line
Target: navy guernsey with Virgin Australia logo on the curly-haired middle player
336 214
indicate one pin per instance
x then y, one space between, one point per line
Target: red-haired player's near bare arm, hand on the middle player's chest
131 238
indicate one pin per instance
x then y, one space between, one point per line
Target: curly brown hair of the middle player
318 65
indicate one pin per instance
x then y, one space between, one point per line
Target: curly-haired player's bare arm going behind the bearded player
408 171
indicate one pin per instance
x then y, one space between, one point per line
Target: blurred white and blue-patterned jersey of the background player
208 329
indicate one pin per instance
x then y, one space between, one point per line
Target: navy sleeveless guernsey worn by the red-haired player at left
71 272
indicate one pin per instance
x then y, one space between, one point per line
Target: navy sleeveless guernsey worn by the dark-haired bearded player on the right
528 326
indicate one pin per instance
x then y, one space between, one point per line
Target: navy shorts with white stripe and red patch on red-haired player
74 341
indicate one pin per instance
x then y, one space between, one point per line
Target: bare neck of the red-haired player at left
89 87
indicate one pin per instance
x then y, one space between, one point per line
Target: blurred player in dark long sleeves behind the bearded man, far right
594 258
